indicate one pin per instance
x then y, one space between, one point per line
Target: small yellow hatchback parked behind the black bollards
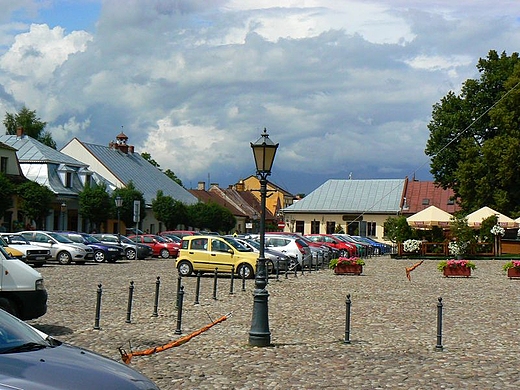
205 253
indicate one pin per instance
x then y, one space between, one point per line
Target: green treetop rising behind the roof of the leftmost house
31 124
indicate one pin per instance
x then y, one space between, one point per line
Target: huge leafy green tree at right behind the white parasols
475 139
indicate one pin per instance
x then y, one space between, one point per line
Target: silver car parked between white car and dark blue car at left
62 249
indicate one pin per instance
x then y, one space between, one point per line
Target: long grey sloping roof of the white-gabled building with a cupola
146 178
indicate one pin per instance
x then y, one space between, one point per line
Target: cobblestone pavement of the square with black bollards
393 326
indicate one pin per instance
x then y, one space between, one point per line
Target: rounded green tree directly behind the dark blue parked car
94 201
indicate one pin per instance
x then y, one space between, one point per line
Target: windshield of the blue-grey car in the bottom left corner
16 336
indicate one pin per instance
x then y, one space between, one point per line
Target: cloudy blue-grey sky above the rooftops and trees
345 87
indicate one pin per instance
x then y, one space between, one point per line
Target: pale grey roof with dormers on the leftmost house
30 150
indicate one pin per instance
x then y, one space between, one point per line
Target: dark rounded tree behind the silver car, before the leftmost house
35 201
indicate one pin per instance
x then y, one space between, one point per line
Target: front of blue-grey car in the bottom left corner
30 359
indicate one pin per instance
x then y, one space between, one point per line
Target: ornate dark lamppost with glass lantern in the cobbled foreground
264 151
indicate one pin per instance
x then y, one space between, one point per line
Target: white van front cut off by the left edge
22 292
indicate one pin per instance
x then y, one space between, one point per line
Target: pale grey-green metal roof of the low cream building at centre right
352 196
